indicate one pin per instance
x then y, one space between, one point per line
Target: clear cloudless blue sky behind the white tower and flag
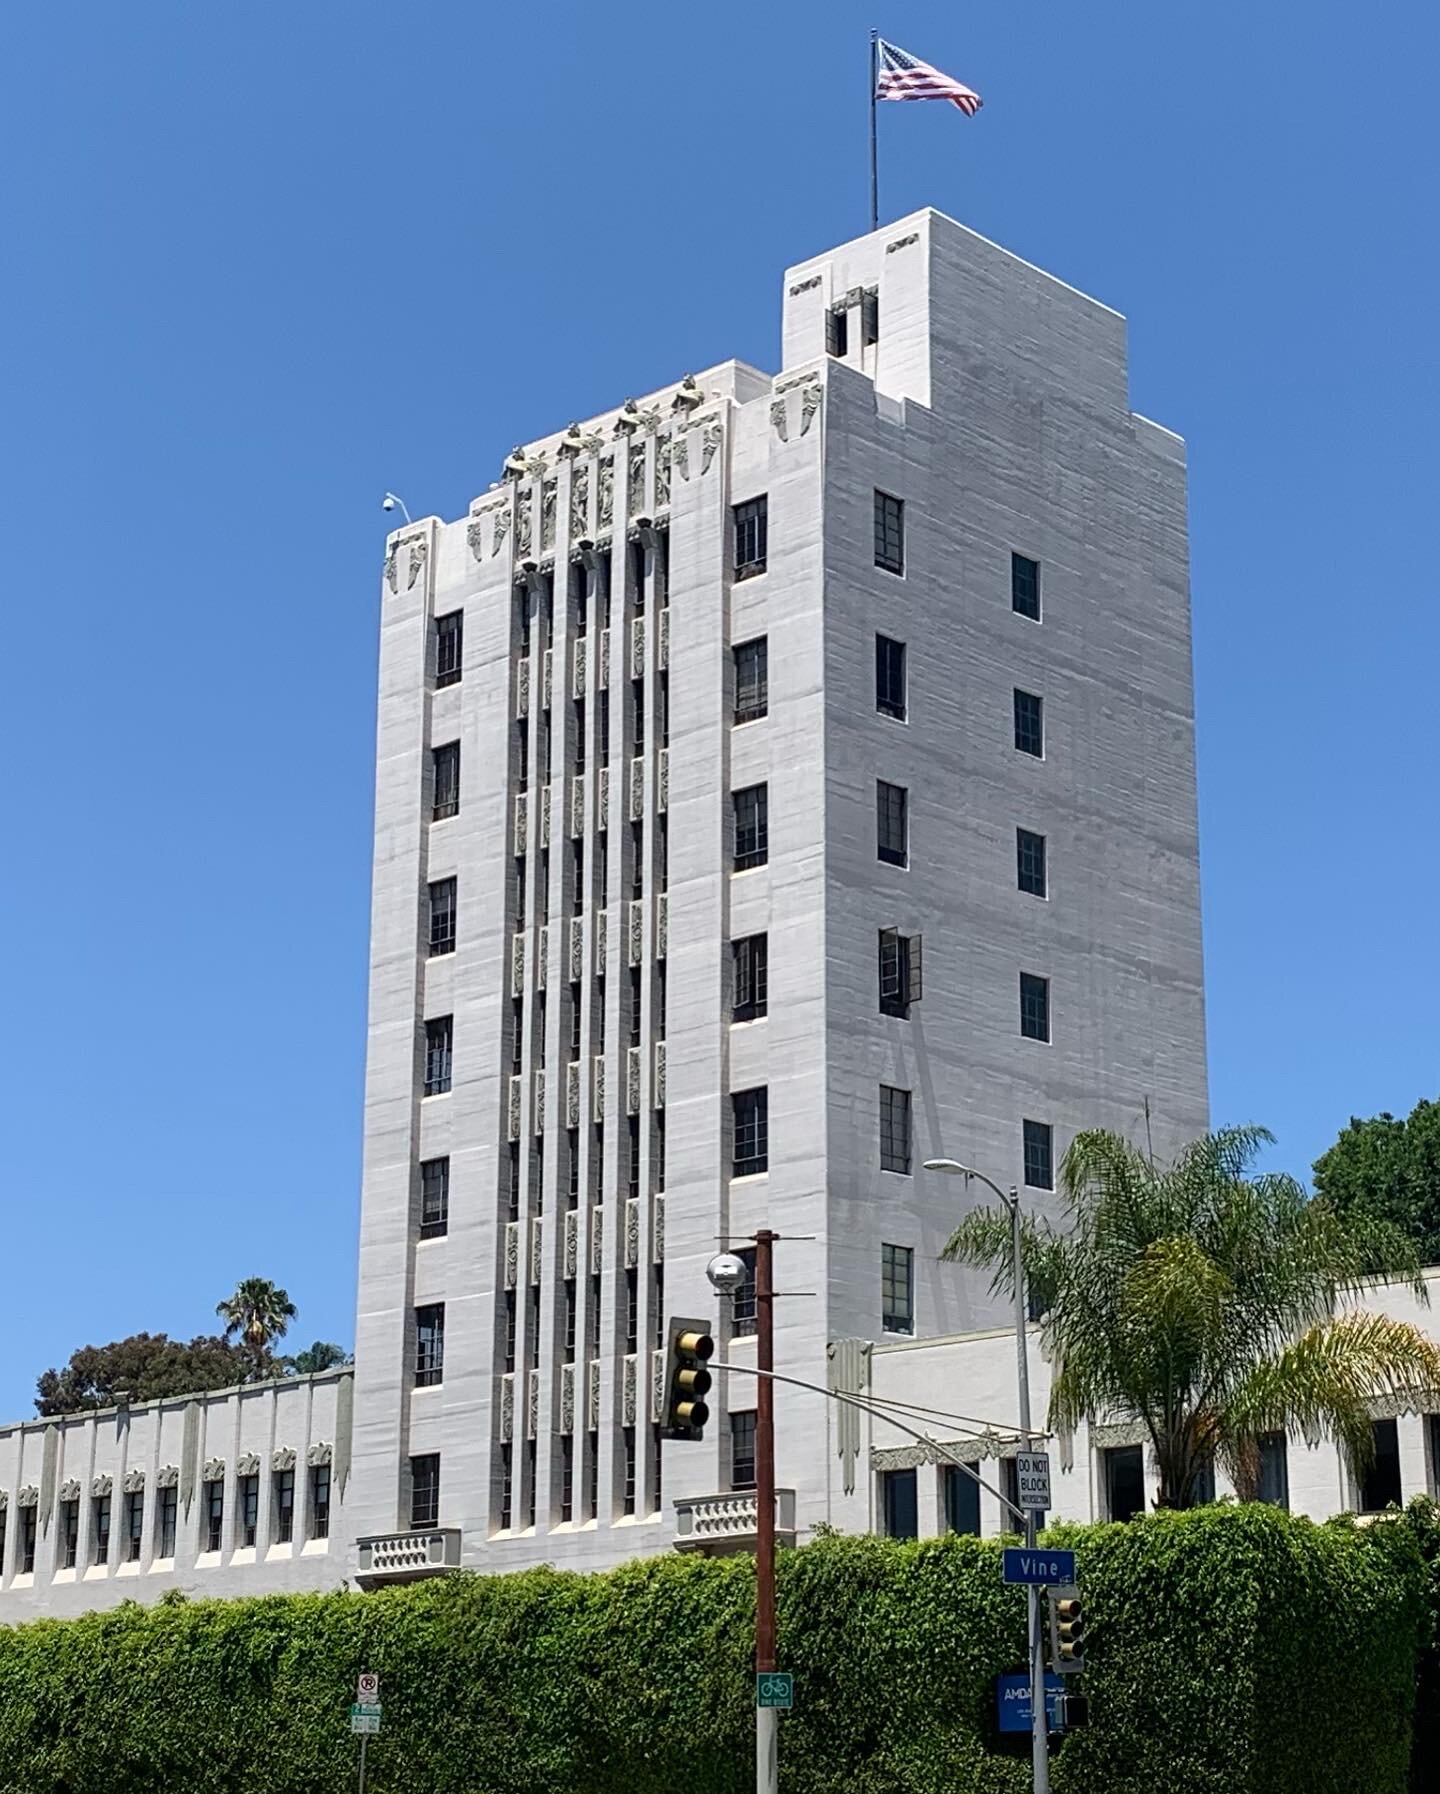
263 263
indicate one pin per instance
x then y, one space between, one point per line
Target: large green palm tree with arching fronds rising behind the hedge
1210 1305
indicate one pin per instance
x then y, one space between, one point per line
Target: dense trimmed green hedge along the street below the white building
1231 1650
